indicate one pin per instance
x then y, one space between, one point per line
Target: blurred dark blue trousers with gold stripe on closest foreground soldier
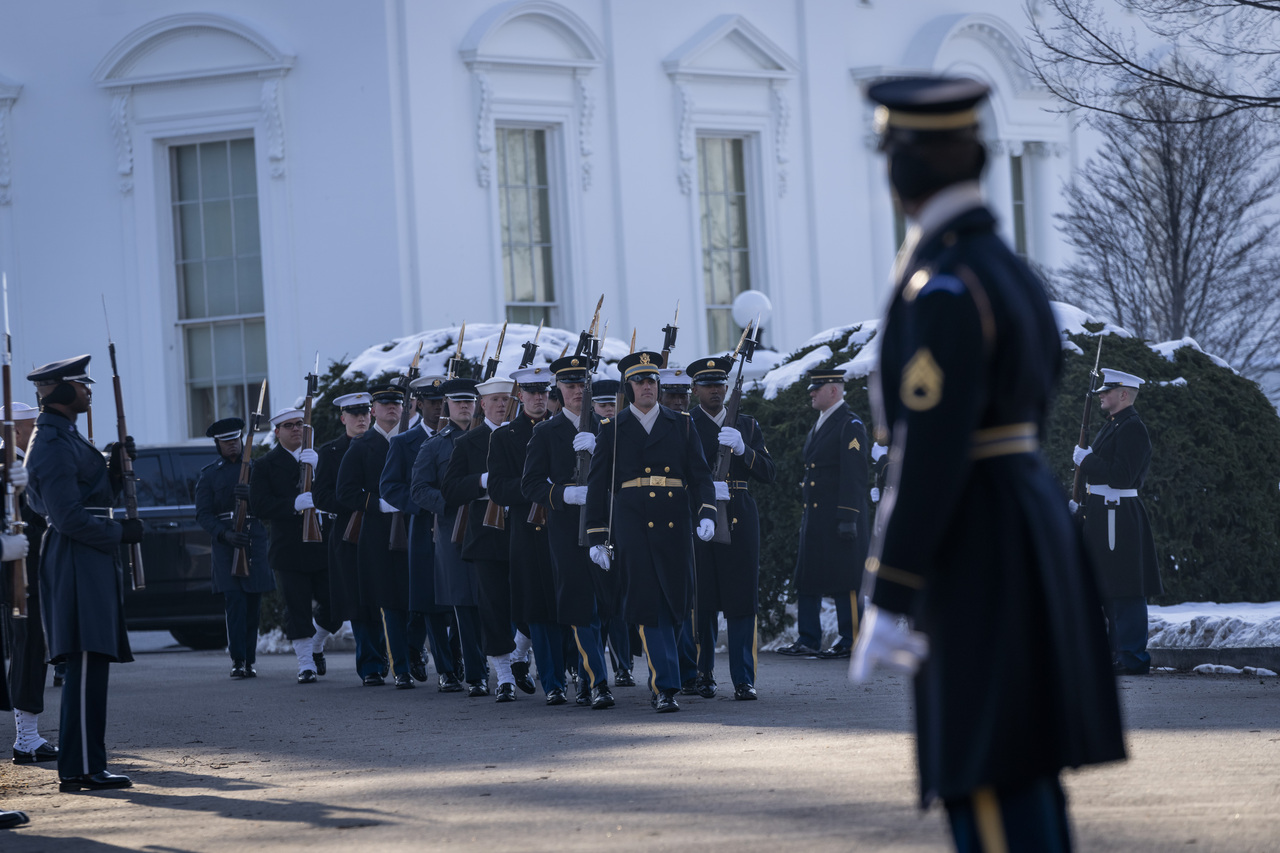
1026 819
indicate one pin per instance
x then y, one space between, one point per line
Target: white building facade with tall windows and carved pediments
248 183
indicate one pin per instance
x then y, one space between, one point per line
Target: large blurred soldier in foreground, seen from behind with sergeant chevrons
973 540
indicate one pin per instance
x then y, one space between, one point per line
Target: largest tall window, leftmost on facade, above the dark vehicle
220 275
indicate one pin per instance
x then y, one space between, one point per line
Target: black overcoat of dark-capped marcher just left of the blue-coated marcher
383 573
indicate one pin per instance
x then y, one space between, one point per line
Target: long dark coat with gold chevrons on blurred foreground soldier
973 537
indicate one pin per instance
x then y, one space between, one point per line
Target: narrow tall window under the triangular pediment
726 252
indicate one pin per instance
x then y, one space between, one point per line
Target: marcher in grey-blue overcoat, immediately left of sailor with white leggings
455 583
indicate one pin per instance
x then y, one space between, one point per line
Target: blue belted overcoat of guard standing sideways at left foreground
81 574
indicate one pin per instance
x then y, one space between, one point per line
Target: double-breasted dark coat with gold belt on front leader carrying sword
653 527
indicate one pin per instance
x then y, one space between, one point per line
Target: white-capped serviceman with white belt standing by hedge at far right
1117 530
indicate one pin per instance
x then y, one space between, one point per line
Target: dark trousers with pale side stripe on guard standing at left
83 737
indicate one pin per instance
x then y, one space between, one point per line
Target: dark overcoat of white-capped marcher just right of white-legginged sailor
533 583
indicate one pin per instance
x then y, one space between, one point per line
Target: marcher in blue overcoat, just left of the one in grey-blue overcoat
427 621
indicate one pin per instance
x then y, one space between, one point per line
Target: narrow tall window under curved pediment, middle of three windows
525 208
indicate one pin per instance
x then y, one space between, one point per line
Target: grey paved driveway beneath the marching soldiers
816 765
